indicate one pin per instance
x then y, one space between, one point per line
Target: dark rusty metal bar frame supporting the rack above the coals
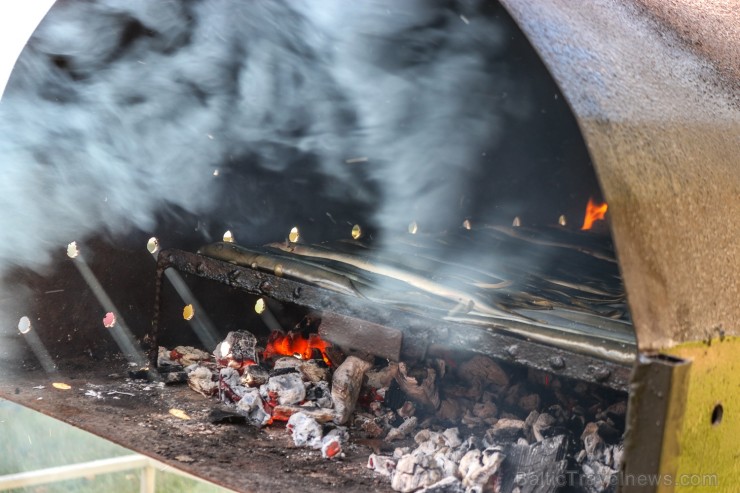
417 333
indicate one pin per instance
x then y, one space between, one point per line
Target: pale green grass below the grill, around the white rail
30 441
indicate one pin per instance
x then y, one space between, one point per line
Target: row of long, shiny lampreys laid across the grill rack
564 290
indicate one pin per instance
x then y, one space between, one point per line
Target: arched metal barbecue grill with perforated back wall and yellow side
642 301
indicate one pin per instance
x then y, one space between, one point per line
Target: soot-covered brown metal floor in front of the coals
137 415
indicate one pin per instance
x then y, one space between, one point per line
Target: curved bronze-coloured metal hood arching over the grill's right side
652 90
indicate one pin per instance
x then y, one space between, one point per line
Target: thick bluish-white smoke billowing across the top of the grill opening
118 110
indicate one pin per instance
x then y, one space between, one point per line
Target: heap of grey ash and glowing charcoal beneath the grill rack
452 423
